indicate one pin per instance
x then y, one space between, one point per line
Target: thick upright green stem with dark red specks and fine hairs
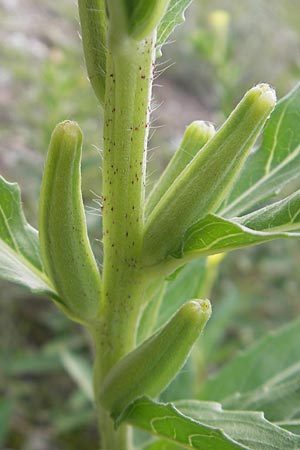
127 100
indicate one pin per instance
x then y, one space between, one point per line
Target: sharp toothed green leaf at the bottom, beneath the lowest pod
207 426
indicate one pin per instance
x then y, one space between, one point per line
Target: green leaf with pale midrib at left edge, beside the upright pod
19 248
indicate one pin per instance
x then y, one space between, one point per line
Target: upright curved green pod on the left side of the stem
65 248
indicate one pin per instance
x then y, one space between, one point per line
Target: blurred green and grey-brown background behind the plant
223 49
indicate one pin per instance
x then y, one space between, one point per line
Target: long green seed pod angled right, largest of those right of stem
203 184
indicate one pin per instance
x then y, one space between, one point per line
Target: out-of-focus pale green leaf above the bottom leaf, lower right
273 360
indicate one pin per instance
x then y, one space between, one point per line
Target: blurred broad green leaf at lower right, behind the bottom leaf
273 362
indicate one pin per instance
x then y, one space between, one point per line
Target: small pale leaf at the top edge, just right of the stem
173 17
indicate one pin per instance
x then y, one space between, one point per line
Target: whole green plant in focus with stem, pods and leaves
210 200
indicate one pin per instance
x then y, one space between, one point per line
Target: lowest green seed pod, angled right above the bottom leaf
149 368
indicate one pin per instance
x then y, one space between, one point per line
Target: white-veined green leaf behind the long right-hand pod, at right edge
274 164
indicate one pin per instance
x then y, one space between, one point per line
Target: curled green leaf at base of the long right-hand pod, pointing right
214 234
